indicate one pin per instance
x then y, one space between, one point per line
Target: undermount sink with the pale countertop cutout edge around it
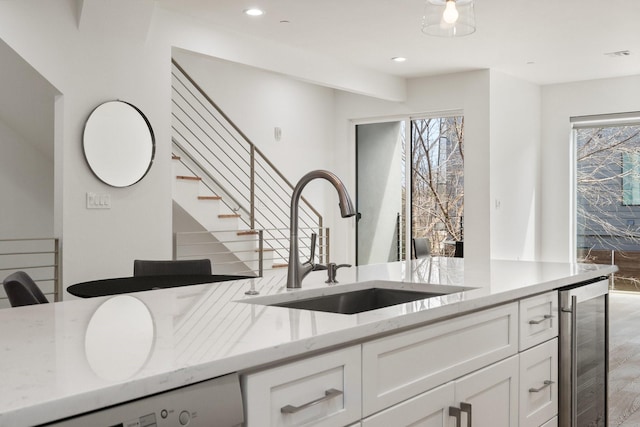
357 297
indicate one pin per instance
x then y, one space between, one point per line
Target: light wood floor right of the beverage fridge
624 359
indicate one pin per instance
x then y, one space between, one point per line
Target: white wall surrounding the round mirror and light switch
90 64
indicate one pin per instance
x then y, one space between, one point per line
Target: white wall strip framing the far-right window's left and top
559 104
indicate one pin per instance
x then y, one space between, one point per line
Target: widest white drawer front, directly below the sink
401 366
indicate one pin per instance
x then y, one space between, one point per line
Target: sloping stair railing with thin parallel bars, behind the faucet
235 169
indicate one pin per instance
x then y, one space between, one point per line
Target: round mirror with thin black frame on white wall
118 143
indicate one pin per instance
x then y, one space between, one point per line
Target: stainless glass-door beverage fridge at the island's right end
584 359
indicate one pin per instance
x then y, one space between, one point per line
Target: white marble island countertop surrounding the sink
67 358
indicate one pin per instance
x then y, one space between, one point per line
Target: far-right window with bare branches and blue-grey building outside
608 195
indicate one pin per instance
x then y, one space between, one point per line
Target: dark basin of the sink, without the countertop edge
358 301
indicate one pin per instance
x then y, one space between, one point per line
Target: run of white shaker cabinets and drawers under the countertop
428 376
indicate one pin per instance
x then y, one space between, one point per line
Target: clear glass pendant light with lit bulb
449 18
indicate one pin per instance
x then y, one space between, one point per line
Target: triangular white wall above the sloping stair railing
257 101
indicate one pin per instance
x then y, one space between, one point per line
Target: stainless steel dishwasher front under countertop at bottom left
212 403
